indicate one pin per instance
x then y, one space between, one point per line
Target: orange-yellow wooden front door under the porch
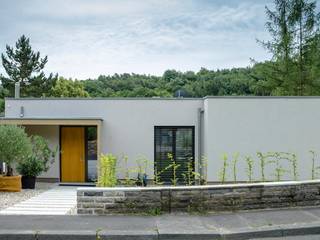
72 154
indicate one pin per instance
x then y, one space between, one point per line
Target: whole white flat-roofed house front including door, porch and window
196 131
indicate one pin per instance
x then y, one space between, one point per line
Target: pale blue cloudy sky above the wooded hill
86 38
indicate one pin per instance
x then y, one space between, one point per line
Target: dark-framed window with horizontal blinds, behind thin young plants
173 144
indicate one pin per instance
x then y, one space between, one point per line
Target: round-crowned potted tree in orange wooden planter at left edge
15 147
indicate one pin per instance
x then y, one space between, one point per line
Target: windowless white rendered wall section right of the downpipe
248 125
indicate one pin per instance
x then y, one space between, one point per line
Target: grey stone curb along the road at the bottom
310 229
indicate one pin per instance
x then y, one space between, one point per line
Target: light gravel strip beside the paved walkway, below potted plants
10 198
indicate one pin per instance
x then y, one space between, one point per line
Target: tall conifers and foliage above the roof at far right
294 45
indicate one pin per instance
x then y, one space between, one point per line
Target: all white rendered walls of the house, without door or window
245 125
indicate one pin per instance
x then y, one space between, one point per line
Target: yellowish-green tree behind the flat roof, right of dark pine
68 88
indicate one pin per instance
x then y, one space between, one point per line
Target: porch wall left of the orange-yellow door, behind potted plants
51 133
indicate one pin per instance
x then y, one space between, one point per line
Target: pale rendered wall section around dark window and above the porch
128 124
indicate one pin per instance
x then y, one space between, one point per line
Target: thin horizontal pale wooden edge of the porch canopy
51 121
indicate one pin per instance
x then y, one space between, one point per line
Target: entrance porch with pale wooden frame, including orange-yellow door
78 144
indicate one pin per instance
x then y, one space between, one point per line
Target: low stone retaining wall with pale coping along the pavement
210 198
